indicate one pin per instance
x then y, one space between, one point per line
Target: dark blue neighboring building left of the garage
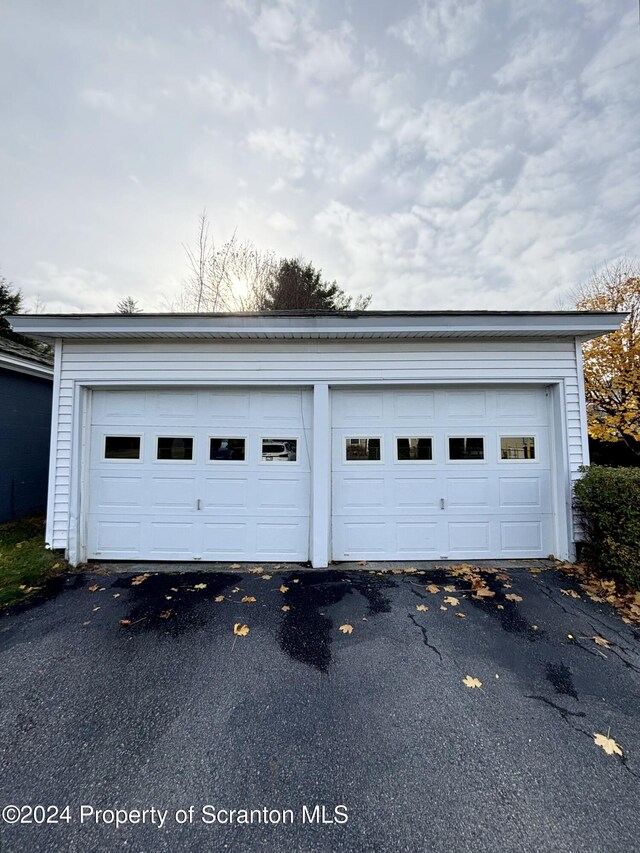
26 383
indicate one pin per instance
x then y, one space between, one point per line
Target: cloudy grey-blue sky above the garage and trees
434 153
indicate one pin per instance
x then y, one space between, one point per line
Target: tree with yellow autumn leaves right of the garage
612 362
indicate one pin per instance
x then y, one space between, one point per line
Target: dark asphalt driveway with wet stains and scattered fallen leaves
139 700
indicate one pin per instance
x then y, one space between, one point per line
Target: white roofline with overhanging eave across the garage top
298 325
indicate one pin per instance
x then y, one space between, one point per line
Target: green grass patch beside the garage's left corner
25 564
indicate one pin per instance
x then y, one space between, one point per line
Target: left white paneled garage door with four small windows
200 474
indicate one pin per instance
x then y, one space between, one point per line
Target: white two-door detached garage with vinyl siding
316 436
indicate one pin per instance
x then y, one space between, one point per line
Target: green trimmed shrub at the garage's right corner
608 504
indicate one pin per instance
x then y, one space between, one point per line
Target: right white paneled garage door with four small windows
441 474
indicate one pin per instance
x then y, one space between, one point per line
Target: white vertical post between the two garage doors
321 478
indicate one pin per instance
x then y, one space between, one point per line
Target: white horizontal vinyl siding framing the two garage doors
203 363
